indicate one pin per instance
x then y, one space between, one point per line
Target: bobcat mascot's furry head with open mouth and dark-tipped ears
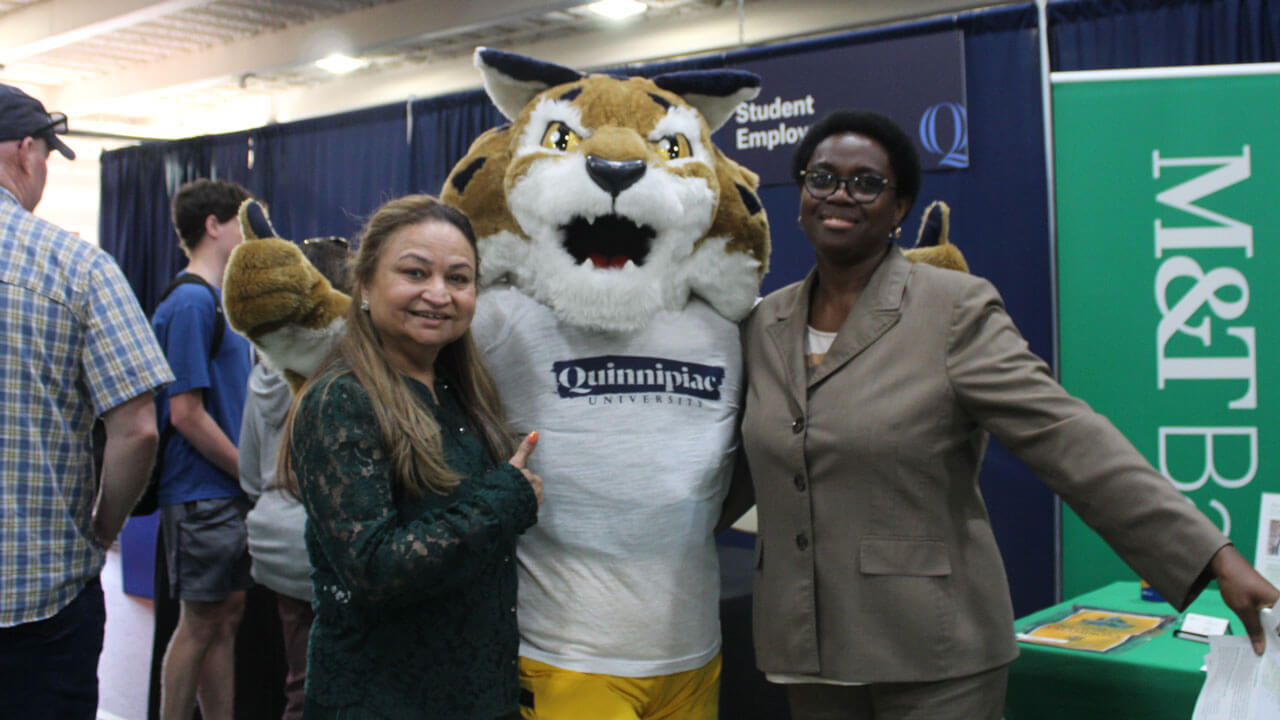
605 198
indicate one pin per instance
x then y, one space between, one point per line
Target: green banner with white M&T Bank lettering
1169 285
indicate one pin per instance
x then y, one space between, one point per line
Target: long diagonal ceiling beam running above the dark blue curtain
354 33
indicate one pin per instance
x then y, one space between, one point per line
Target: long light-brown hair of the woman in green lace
409 430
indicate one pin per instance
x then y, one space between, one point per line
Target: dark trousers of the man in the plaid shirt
49 668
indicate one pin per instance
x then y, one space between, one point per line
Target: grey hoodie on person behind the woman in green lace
277 521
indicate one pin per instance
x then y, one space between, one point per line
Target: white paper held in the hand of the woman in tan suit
1241 686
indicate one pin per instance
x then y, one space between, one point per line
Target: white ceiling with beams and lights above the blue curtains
179 69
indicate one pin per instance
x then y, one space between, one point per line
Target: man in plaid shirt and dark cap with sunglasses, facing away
76 347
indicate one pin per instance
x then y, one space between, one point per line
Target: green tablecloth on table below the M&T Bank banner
1155 678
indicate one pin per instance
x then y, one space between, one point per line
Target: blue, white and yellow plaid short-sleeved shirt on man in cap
74 344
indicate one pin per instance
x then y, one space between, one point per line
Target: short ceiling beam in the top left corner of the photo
56 24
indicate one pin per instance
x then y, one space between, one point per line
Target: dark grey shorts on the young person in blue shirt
207 546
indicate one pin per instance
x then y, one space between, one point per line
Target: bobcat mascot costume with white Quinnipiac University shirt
619 250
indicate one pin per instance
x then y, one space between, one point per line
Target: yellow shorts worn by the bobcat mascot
555 694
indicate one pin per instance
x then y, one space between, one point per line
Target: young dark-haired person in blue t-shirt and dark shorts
203 508
